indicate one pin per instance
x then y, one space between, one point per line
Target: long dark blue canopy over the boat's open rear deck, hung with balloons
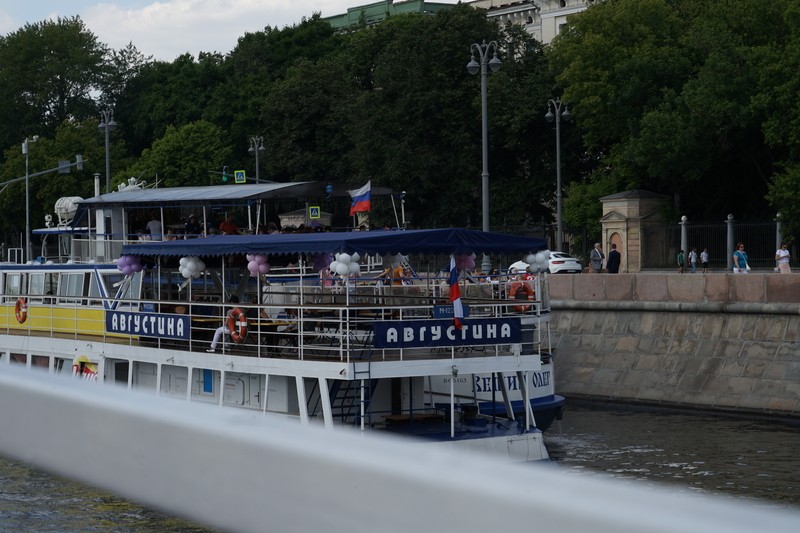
433 241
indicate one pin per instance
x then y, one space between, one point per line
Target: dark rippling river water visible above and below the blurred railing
755 460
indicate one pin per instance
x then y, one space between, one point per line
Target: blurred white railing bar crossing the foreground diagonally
243 472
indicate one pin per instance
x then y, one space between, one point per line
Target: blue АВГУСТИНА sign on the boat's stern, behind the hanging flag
428 333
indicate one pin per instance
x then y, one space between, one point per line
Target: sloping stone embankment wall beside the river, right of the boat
707 341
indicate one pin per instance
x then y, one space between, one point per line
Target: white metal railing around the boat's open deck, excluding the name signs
298 321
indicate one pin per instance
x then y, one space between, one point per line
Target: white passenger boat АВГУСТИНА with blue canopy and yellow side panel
315 340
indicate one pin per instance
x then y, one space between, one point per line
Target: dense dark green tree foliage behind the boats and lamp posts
694 100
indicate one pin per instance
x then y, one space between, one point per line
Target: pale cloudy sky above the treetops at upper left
166 29
